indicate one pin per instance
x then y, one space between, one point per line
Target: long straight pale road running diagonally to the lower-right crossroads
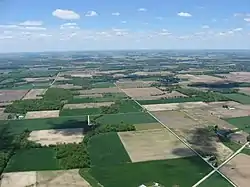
183 141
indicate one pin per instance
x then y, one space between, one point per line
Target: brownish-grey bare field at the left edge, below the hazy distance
12 95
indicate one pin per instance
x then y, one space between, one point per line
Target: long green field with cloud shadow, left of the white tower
18 126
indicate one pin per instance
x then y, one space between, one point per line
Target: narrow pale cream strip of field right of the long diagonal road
174 106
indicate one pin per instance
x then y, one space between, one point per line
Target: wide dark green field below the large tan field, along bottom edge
182 172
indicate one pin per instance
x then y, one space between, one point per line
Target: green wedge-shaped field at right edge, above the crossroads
242 123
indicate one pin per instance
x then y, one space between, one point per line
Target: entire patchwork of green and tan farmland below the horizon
123 118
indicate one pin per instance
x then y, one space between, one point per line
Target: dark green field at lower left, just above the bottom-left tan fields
33 160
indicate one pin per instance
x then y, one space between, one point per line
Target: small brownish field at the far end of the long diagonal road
134 84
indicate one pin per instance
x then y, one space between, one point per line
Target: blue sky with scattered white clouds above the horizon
61 25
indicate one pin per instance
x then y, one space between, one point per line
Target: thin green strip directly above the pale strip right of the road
171 100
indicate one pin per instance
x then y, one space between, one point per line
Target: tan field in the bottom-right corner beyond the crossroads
238 170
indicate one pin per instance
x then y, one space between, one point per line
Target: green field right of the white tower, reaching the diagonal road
128 118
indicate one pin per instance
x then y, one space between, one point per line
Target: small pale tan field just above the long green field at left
42 114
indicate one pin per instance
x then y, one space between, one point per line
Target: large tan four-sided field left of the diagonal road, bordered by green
163 145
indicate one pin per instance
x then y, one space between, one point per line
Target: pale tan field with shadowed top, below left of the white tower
57 136
